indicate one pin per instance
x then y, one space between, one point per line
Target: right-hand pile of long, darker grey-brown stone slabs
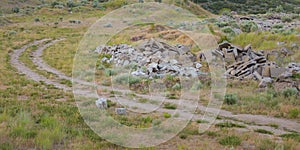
245 63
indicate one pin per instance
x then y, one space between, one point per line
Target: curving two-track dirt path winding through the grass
251 122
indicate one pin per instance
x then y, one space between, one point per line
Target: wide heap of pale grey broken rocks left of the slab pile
154 58
